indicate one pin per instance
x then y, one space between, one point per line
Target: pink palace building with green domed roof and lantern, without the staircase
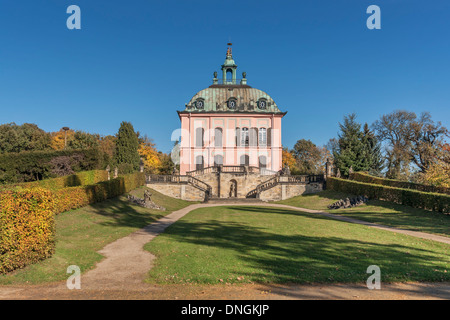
230 124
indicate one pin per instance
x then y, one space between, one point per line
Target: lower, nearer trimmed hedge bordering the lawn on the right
417 199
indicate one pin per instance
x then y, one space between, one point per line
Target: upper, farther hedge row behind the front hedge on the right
364 177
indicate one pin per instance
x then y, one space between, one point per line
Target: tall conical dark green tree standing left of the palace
127 144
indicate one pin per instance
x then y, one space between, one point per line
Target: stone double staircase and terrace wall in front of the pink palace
234 183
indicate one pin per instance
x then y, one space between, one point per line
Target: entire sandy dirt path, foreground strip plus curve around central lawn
120 275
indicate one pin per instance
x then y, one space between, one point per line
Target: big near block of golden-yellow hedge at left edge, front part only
26 227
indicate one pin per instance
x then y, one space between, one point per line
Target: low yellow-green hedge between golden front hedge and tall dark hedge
79 179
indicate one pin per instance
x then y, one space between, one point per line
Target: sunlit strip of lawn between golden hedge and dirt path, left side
81 233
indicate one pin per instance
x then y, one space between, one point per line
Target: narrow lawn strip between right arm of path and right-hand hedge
377 211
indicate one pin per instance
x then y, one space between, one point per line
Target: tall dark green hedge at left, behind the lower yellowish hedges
36 165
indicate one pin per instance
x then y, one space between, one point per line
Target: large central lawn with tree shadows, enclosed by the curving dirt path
239 244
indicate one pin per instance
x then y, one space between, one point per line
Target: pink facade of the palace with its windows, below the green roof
199 134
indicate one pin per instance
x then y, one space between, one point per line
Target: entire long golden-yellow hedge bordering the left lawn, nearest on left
27 216
